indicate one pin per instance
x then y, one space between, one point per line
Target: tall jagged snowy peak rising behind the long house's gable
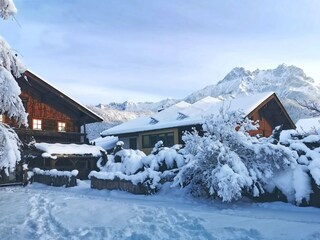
290 84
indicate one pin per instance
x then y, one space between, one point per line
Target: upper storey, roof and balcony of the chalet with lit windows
53 117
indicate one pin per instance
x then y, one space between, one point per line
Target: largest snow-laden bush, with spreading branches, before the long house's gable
227 162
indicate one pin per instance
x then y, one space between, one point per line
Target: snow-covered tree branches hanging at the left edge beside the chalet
10 103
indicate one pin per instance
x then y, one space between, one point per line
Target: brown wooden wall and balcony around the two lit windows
50 111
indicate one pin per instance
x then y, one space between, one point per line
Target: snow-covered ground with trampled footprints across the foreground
43 212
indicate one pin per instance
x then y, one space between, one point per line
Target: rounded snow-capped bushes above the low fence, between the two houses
135 166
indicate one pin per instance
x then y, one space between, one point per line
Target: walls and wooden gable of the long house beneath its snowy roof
270 113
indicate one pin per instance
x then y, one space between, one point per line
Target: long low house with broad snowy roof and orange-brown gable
170 124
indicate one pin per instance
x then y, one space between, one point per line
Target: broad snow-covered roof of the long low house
183 114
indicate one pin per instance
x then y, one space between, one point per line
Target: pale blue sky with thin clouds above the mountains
141 50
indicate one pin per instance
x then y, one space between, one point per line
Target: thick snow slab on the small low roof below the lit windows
53 149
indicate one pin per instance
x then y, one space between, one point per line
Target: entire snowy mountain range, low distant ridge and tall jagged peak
290 83
